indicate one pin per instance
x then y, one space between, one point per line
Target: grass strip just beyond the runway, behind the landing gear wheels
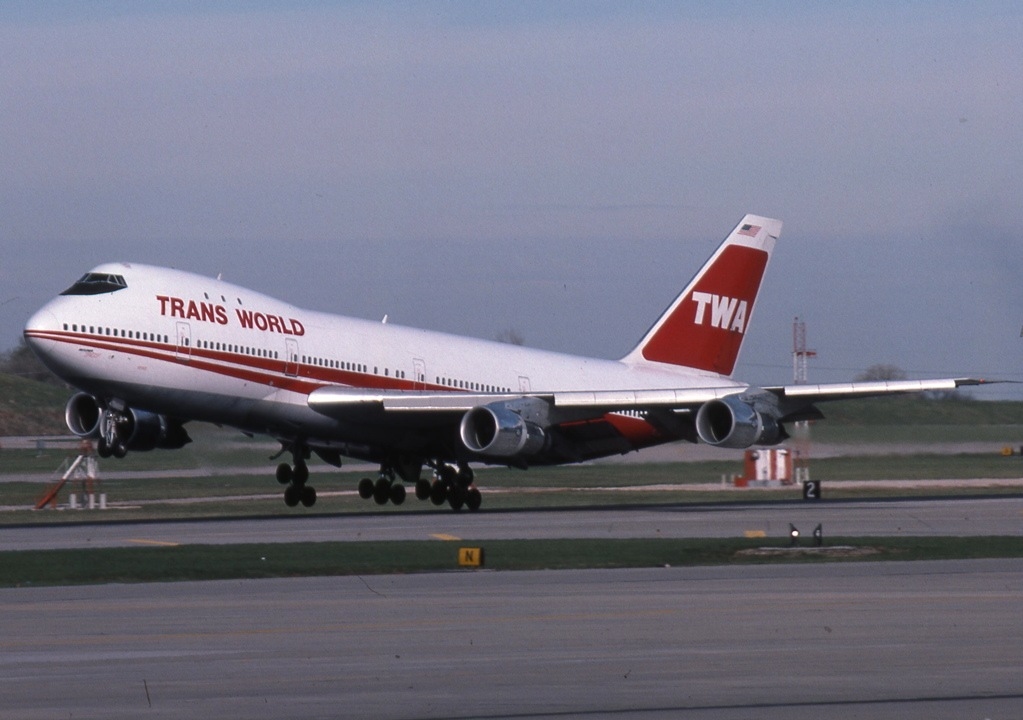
225 497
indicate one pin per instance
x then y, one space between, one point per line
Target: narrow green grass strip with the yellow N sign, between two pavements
193 563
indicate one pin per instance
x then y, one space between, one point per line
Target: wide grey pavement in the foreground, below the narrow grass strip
852 641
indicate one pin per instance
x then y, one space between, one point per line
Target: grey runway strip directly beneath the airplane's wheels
959 517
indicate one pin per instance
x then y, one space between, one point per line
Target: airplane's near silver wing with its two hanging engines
580 425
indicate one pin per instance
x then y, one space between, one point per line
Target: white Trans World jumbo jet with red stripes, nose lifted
151 349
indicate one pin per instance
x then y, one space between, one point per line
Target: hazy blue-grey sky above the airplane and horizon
557 169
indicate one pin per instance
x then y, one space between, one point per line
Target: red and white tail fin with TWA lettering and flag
705 327
